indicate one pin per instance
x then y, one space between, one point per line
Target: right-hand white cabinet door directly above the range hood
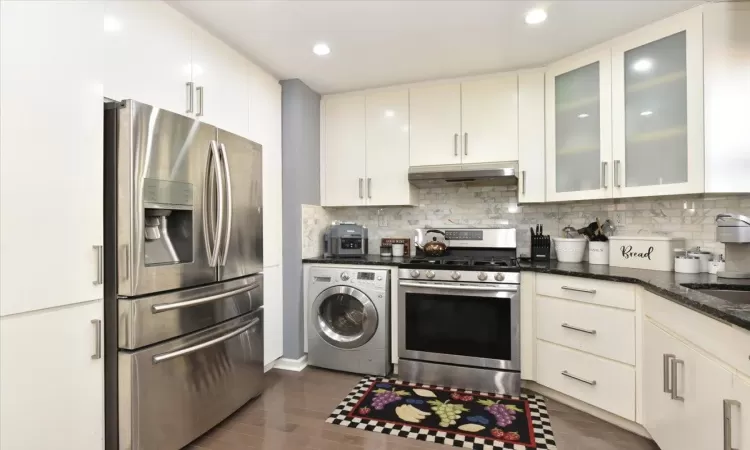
489 120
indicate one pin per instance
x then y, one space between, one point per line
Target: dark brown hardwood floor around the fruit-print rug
291 414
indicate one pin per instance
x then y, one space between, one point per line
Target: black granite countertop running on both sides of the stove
664 284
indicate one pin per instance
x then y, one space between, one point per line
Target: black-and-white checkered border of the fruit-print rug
539 416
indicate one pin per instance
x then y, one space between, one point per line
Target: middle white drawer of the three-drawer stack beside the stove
602 331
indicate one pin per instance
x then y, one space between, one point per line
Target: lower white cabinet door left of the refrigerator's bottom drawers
52 390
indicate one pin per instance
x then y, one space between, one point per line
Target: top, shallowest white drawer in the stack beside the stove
607 293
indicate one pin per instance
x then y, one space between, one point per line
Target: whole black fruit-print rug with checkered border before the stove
456 417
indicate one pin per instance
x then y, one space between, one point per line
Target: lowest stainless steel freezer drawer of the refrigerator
171 393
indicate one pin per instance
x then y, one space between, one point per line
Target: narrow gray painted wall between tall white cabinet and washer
300 142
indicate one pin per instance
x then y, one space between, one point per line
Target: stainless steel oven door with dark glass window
467 324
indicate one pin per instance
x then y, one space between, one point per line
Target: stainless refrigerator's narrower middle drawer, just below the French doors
148 320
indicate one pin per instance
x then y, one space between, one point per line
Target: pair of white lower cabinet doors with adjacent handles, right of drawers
683 393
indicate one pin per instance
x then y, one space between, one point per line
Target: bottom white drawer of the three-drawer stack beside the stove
605 384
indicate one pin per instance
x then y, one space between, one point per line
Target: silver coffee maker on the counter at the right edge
734 231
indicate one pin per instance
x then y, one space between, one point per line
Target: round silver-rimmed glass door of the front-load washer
344 317
